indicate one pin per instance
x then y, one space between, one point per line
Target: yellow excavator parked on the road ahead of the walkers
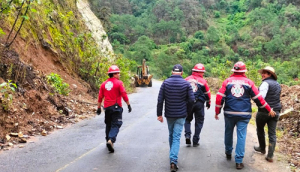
143 76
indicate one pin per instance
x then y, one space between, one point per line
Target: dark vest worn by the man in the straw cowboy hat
273 94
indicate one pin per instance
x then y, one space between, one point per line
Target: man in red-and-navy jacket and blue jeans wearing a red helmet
236 92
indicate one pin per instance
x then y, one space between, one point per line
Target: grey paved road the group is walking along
142 145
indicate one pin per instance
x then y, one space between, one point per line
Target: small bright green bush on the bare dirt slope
57 82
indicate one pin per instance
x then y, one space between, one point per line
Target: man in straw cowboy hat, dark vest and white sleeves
270 89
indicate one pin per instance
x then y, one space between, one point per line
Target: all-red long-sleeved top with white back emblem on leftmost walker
112 90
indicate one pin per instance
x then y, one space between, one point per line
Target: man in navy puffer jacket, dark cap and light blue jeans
177 95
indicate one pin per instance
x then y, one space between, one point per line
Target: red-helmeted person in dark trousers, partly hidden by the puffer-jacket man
202 95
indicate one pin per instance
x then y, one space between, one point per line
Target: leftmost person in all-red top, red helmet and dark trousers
112 90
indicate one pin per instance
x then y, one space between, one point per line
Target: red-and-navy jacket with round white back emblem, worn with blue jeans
237 92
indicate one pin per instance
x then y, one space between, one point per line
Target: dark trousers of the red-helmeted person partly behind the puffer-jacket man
198 112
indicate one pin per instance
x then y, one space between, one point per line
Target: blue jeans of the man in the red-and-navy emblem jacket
241 130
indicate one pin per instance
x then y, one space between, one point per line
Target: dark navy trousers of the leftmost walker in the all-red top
113 121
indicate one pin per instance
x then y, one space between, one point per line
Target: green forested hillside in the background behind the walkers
214 32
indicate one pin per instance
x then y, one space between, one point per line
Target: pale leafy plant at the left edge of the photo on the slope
7 89
